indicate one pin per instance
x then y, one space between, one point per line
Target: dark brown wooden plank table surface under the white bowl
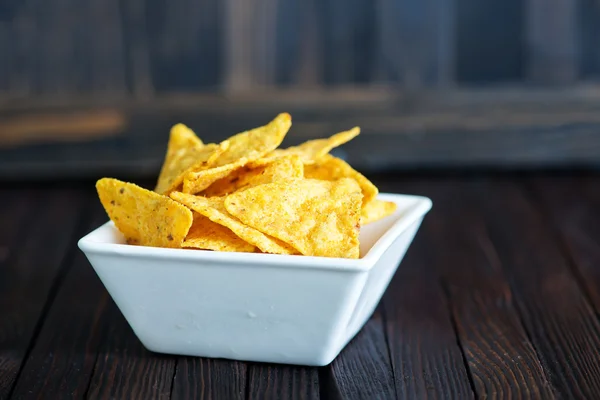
499 295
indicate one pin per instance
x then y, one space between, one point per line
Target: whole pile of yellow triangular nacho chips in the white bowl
247 195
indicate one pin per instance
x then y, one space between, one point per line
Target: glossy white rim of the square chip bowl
421 206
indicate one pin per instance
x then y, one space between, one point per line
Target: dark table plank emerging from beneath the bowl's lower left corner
124 369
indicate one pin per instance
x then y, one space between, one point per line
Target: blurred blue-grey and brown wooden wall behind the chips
91 88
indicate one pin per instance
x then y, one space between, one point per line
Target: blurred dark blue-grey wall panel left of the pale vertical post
183 40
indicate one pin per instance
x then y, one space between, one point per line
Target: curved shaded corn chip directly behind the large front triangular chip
273 171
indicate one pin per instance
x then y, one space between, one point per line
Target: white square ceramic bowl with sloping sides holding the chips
252 307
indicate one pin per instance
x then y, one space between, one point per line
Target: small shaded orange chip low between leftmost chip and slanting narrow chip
207 235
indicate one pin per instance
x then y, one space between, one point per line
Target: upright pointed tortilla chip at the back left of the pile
185 152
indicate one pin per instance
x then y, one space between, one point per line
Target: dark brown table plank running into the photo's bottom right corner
559 320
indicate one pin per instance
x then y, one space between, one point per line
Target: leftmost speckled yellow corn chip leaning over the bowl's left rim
144 217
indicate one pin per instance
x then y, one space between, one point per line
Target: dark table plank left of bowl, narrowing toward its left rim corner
62 360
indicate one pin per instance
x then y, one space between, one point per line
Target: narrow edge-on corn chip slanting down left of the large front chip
214 209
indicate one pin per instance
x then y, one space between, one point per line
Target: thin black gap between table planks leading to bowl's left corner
58 280
